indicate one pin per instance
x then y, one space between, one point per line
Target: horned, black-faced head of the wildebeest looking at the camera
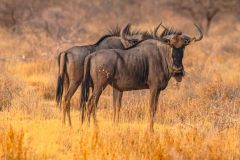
178 41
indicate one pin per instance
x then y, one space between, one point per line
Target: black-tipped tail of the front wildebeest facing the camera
86 79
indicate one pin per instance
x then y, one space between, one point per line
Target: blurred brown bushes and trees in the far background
72 20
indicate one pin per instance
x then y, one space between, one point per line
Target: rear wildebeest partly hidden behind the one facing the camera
71 63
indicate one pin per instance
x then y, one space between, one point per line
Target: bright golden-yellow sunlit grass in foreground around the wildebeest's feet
48 139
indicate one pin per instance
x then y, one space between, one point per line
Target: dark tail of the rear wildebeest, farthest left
62 60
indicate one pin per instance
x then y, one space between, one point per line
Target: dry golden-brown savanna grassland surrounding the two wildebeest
198 118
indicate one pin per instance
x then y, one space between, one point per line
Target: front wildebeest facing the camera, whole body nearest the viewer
148 64
